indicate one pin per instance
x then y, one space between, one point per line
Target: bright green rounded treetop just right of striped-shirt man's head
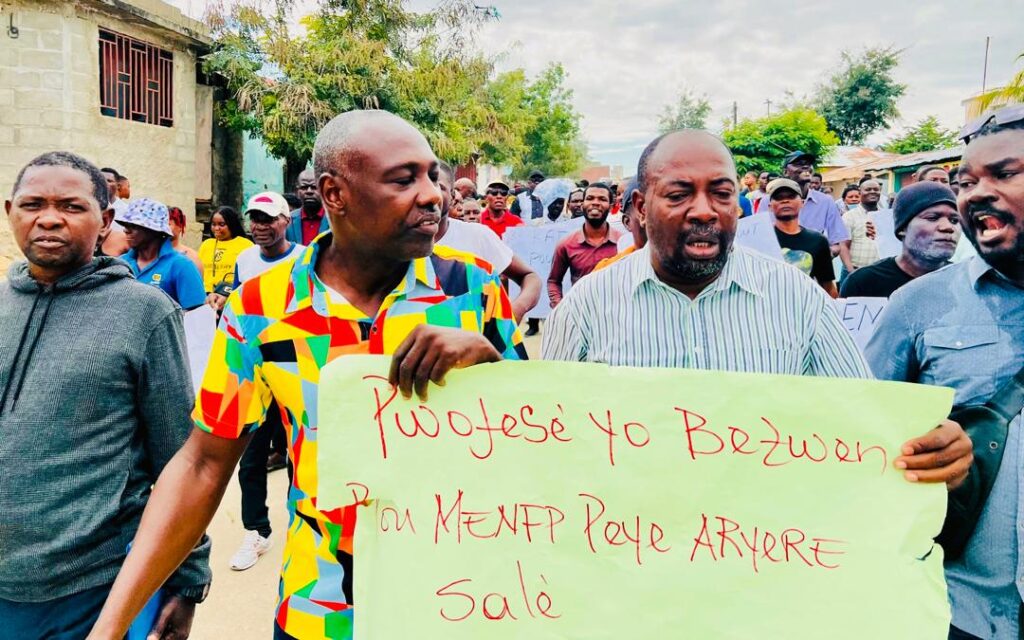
761 145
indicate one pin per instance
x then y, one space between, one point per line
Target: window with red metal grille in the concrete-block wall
137 80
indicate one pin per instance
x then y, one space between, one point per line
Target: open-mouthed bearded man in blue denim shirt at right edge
963 327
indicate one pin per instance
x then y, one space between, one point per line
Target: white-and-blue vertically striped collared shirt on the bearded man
760 316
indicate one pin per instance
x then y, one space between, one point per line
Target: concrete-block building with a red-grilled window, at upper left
118 82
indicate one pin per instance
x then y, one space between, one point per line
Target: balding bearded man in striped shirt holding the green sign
692 300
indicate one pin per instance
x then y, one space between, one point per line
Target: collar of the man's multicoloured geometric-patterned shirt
306 290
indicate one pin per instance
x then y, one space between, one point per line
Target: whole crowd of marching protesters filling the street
386 252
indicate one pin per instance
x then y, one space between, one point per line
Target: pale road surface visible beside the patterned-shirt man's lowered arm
241 604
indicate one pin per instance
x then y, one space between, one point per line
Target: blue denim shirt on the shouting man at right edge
963 327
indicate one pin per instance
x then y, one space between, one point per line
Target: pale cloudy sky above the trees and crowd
626 61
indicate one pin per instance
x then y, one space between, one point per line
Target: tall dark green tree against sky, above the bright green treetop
862 98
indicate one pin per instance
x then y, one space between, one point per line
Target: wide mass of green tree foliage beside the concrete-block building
284 86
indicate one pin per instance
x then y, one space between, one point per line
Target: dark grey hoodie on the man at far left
95 401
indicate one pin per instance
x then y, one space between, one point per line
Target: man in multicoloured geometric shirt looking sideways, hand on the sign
371 286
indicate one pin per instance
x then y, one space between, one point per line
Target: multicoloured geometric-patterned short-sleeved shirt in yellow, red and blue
278 331
